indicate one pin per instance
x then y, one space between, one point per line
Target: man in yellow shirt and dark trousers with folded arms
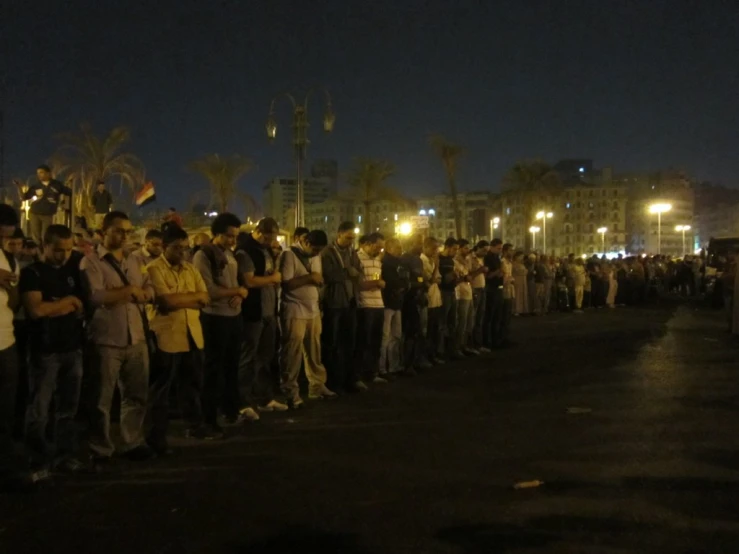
181 294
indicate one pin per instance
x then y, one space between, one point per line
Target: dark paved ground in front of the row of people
428 464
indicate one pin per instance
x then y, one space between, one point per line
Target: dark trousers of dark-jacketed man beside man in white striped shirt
338 343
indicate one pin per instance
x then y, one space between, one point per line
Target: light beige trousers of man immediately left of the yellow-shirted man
129 369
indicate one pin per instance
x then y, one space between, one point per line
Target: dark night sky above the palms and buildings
634 84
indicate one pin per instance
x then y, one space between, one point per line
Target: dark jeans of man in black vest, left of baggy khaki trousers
255 361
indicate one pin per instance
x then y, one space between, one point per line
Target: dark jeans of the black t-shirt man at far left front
57 378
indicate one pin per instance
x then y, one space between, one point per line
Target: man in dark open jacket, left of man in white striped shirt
341 274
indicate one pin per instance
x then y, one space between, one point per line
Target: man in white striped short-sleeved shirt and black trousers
370 313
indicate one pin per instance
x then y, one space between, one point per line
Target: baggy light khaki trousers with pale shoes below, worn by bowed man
300 343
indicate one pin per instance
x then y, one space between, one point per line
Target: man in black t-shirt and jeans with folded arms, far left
51 293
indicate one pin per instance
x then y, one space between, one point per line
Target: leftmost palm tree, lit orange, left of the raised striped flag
84 158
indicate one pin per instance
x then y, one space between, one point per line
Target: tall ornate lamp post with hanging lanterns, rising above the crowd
300 139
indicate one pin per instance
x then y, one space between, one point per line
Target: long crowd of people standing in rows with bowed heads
229 320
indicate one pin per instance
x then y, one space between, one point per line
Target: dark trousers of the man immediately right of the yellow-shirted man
223 336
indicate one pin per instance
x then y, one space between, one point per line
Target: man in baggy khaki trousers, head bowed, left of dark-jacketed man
300 319
